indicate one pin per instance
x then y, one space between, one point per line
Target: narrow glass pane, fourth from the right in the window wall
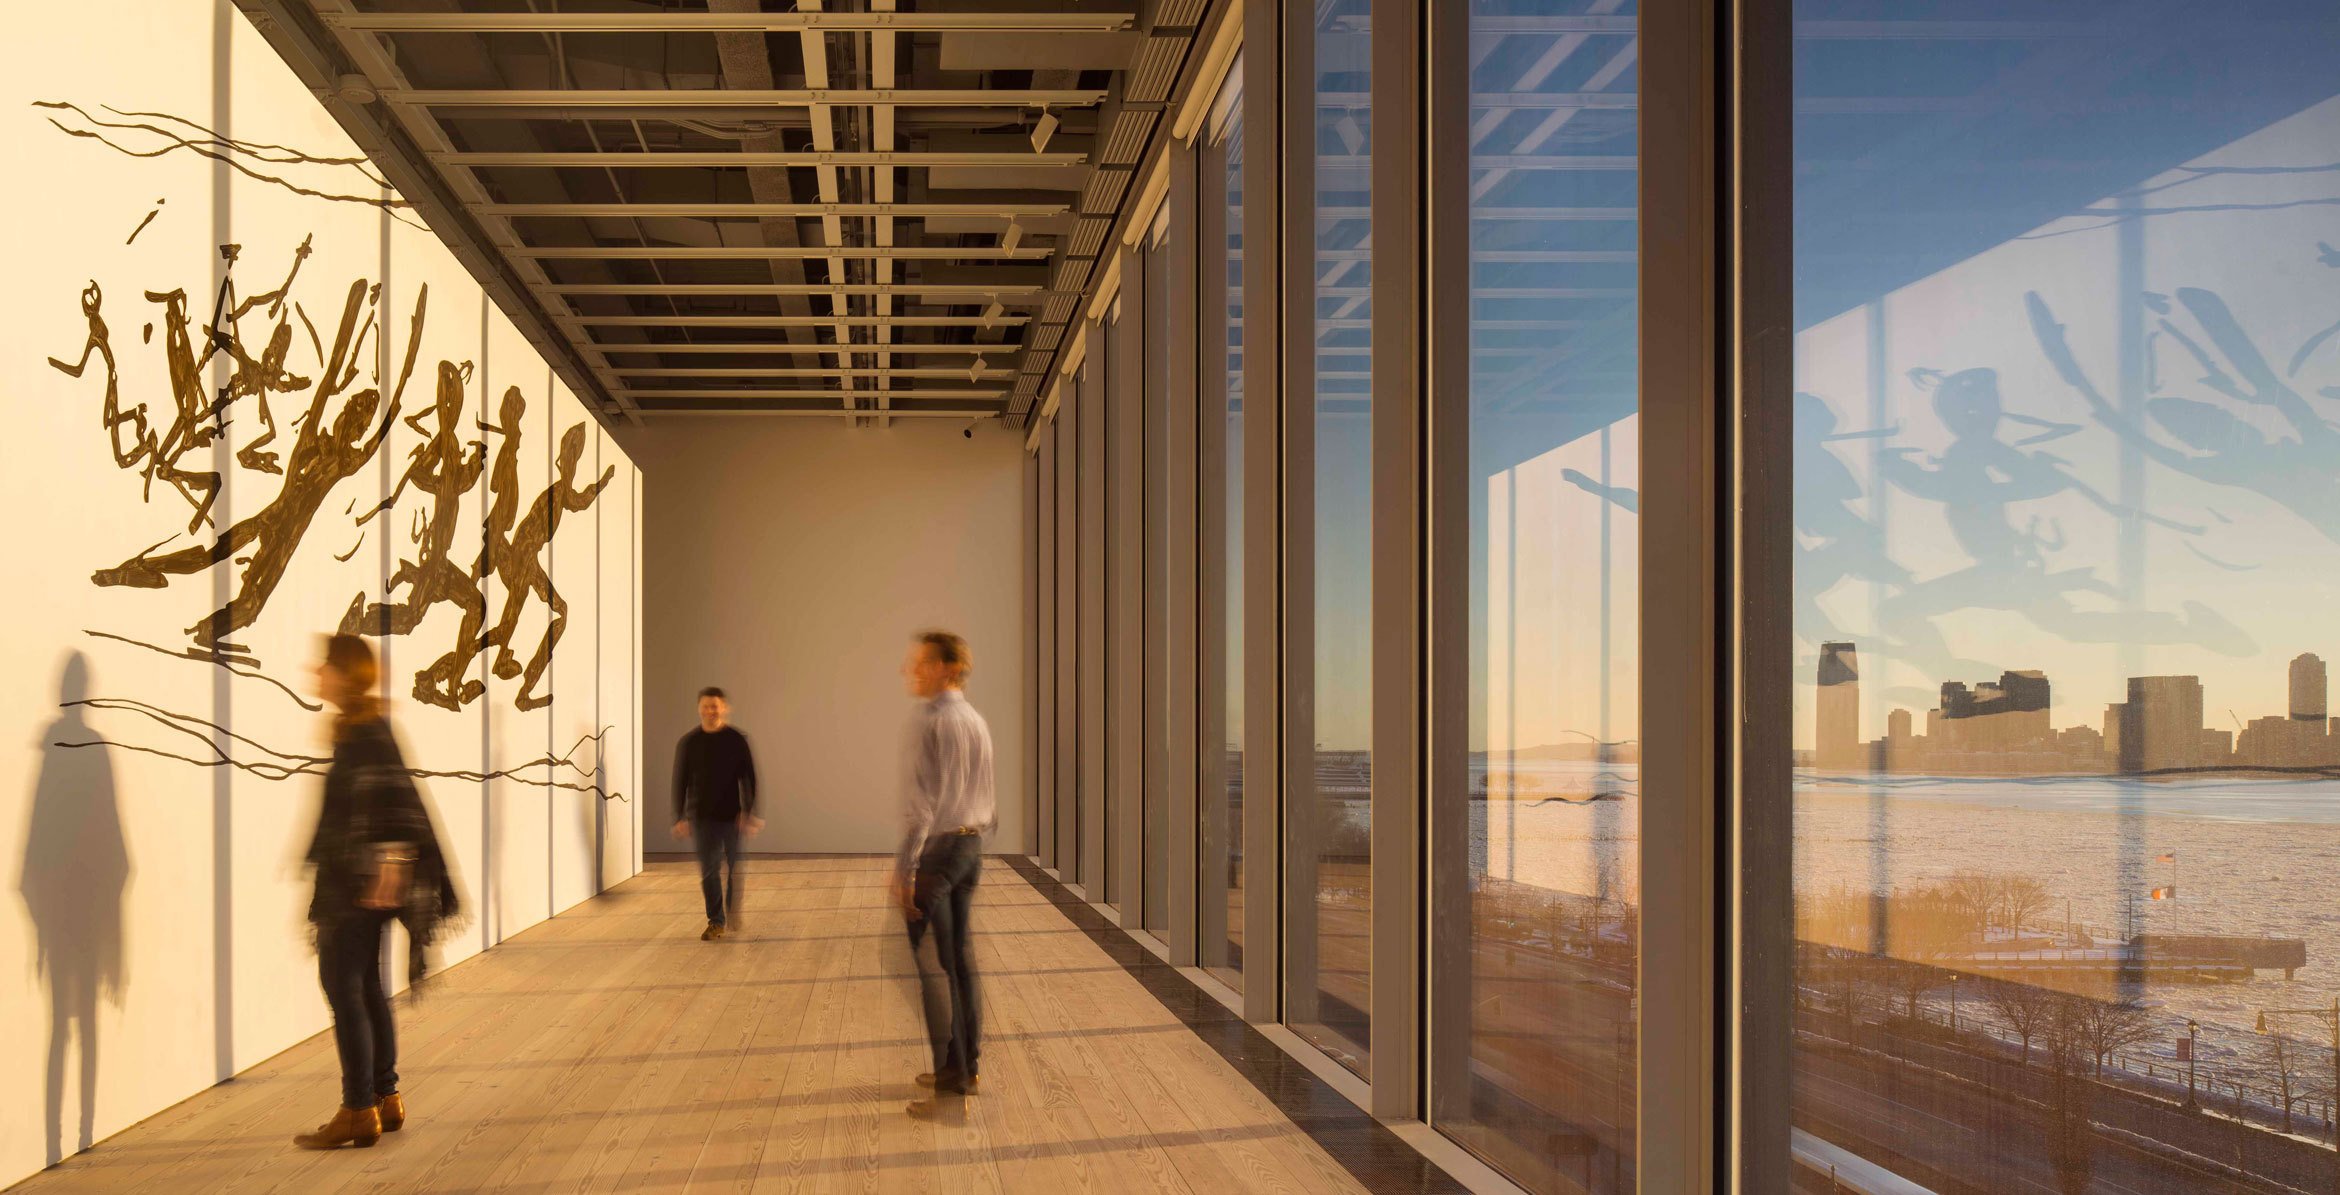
1223 806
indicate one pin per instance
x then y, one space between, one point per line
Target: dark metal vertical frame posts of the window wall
1714 555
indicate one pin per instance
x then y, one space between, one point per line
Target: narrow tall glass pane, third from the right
1330 827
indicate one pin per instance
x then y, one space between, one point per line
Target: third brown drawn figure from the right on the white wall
441 469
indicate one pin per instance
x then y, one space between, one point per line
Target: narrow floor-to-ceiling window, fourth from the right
1220 859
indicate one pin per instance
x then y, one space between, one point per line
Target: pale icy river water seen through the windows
2255 857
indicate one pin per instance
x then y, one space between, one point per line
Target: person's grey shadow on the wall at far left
76 871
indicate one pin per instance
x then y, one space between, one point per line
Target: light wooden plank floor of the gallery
614 1051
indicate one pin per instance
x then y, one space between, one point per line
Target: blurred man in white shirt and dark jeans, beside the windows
949 808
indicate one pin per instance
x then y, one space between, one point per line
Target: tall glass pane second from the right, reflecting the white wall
1548 1089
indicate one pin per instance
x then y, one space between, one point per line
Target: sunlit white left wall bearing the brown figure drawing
252 399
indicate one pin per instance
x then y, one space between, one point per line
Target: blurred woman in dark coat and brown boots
376 862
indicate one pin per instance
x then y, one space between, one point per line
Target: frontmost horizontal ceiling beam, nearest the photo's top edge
729 22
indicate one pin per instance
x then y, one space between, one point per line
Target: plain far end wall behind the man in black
790 562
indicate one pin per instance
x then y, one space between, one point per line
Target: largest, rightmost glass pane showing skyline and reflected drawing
2067 516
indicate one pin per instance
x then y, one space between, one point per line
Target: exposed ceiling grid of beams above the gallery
776 212
